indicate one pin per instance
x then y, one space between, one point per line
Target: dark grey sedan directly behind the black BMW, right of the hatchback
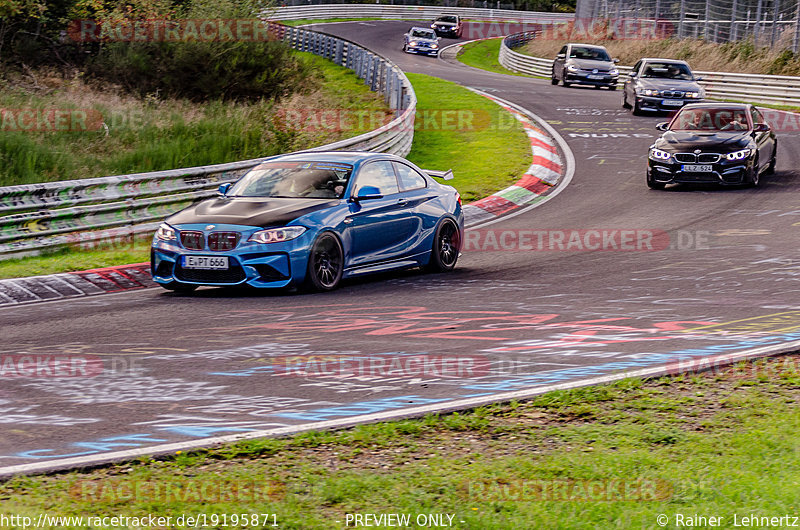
660 85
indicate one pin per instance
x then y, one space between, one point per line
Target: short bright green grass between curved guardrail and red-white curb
456 129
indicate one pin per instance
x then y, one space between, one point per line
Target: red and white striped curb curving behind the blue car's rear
544 174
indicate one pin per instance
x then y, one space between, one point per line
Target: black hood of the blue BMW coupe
250 211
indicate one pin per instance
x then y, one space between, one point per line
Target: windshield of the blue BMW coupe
322 180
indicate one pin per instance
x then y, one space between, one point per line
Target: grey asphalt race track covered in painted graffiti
705 272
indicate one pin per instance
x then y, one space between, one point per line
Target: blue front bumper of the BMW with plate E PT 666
272 265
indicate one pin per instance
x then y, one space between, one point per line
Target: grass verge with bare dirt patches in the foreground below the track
720 443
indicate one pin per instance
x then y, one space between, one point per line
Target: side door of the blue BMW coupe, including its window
378 229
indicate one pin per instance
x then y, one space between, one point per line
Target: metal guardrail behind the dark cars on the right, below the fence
753 88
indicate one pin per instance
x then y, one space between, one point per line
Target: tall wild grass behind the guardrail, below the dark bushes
150 134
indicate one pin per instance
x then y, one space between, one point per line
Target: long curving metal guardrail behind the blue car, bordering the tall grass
35 217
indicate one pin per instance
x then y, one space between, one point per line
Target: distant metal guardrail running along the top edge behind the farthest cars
324 11
